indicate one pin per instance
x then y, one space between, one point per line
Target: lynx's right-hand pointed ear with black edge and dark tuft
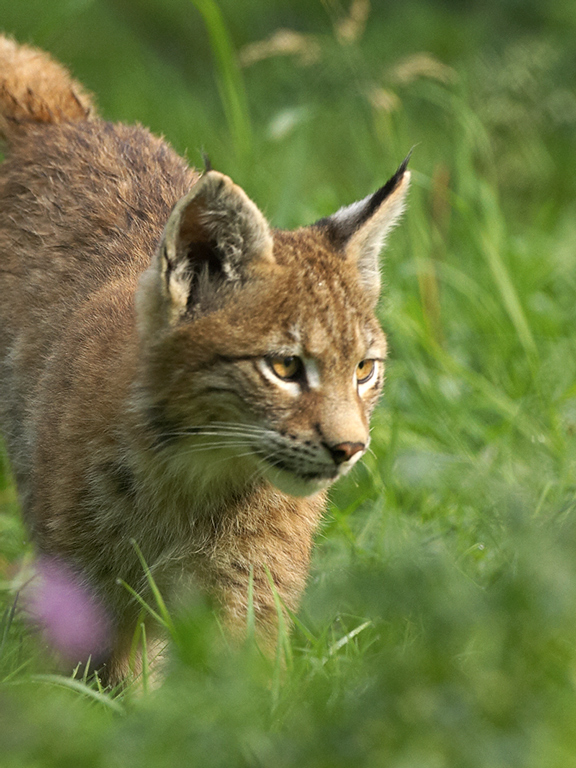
359 230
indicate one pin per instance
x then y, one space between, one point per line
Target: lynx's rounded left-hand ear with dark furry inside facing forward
213 236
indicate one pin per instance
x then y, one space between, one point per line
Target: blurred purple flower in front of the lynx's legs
67 612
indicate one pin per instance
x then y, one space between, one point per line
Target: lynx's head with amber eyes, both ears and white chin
264 358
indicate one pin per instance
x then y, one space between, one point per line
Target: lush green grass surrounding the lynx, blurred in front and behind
439 626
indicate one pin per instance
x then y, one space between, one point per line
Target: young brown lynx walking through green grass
174 372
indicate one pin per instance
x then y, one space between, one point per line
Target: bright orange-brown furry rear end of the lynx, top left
35 89
